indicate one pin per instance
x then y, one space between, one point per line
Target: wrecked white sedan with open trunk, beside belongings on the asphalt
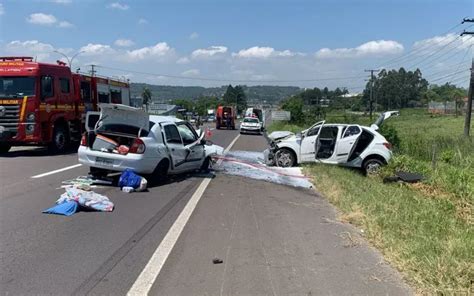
121 137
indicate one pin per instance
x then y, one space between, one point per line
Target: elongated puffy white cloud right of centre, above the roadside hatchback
379 47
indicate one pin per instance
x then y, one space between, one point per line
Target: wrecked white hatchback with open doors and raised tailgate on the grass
348 145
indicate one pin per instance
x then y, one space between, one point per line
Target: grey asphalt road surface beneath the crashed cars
273 239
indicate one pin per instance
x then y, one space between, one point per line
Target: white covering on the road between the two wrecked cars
251 165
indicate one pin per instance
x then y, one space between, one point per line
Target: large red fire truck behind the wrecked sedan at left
45 104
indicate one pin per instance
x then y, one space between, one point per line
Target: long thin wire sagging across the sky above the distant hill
226 80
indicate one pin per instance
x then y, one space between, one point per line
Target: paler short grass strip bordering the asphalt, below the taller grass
422 235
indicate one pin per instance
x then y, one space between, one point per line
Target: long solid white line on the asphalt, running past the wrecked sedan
147 277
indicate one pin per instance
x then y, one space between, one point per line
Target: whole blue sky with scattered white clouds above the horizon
262 42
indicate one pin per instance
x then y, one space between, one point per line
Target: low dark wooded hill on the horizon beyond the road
255 94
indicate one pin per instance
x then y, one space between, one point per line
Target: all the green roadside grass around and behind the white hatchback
425 229
